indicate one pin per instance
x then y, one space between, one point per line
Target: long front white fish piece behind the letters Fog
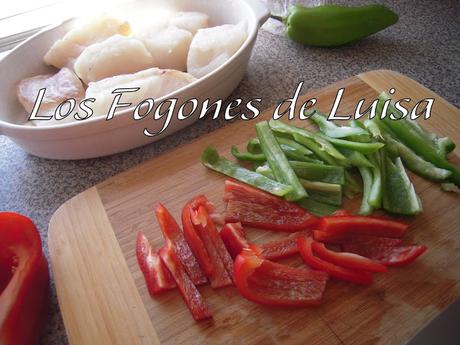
153 83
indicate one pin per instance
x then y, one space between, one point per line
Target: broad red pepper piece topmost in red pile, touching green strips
256 208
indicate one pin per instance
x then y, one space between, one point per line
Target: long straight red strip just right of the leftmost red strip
173 233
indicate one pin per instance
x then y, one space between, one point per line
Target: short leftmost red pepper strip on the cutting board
157 276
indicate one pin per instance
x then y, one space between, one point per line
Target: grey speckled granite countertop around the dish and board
424 45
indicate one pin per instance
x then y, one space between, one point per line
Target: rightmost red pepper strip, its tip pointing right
385 250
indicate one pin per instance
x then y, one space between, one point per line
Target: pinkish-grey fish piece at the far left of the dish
59 87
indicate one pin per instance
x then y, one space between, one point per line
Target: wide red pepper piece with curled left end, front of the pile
275 285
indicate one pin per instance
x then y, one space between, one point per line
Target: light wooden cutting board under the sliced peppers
104 299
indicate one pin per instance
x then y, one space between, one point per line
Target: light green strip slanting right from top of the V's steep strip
312 141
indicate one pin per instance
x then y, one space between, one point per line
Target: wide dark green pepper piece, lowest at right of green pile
399 194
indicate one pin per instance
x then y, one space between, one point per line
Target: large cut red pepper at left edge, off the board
24 281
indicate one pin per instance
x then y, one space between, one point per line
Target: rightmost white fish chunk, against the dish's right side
212 47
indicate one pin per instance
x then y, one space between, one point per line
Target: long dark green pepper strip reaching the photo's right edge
410 135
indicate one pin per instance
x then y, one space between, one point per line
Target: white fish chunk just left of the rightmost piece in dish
169 48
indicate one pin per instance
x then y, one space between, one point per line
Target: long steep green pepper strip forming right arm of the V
278 162
